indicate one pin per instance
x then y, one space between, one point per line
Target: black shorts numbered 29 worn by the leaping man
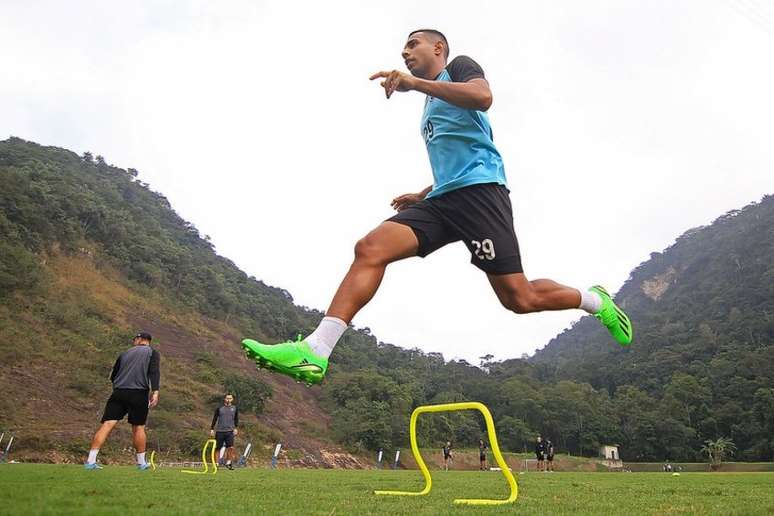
479 215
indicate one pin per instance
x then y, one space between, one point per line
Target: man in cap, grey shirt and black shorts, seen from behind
135 375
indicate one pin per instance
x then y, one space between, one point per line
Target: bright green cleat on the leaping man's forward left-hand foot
294 359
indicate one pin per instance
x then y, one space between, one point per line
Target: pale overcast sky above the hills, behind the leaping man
621 123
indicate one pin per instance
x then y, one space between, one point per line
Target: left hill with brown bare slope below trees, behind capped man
81 269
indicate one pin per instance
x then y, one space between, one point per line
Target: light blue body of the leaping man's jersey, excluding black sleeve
459 143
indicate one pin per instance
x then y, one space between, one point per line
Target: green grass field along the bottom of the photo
64 489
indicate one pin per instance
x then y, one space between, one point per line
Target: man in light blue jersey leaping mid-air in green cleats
468 201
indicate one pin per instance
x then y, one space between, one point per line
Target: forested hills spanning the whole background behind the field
89 254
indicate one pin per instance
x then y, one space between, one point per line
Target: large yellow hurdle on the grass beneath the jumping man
448 407
